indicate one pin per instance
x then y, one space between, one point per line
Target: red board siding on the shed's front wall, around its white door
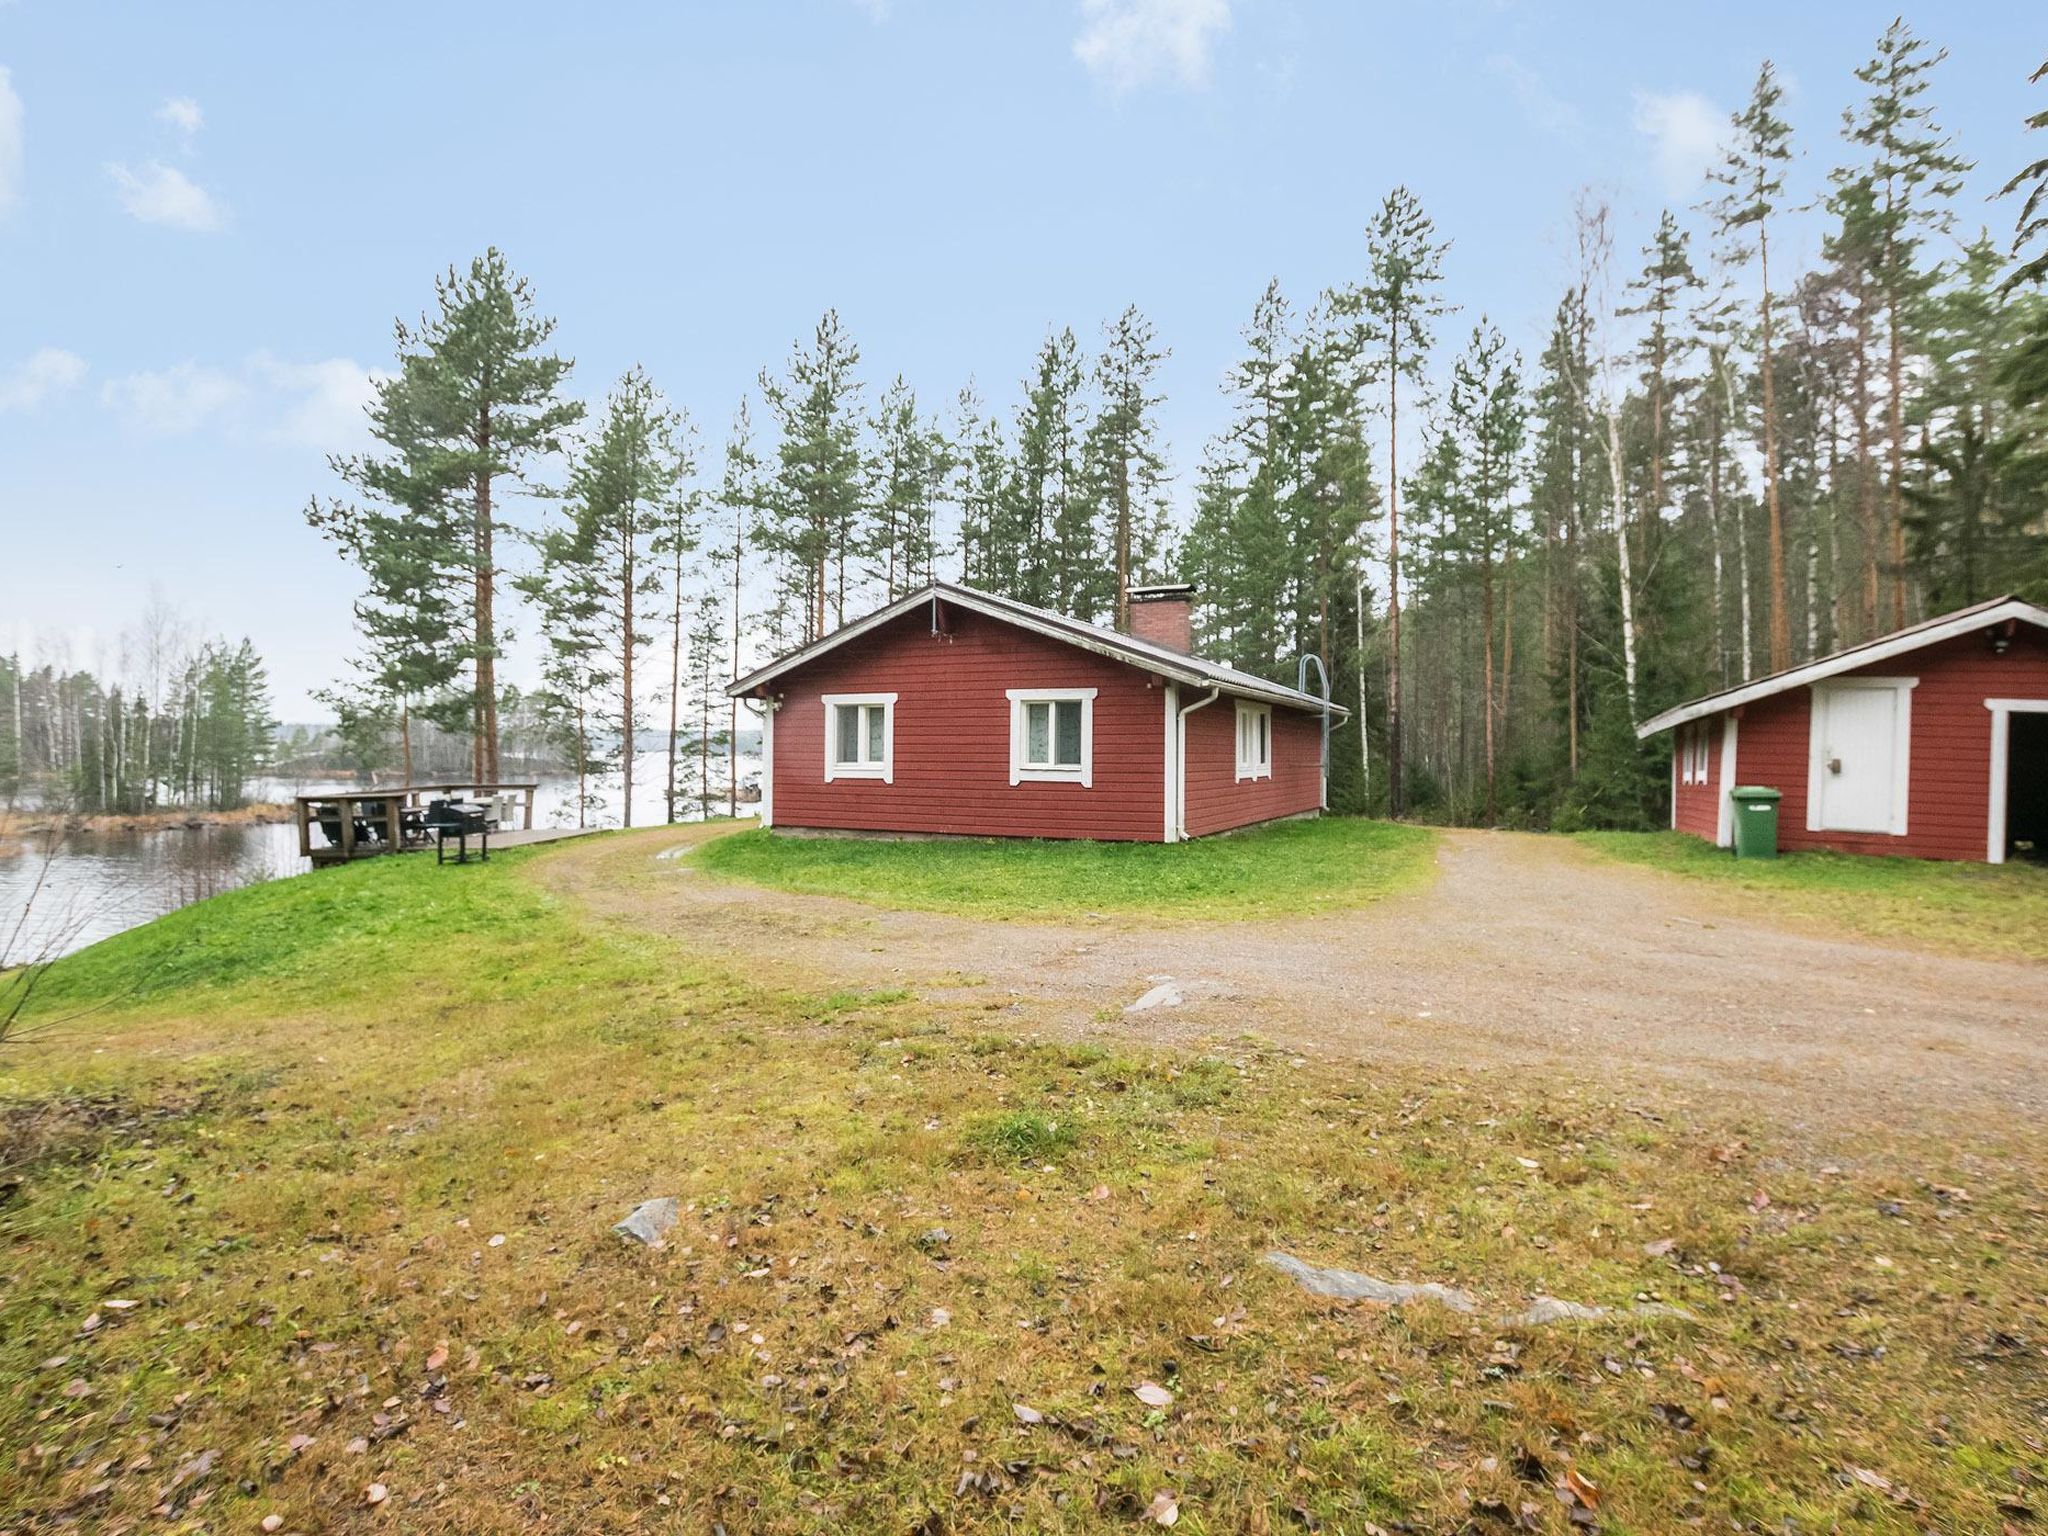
1949 783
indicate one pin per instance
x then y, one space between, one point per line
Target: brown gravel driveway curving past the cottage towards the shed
1525 955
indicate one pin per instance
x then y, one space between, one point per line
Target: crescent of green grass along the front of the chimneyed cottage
1279 871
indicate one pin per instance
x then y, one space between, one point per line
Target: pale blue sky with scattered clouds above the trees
212 214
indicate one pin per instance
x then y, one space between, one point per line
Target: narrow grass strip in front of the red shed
1998 910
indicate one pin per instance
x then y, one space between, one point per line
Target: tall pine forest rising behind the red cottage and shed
1506 552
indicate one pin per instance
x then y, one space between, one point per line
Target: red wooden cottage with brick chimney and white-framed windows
962 712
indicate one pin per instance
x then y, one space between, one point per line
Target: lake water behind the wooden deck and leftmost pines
101 884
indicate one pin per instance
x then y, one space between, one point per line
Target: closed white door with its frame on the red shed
1857 779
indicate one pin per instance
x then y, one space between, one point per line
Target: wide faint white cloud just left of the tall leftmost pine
304 404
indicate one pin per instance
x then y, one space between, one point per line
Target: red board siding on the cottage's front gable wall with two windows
953 736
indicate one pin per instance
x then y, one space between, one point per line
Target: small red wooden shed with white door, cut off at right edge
1930 742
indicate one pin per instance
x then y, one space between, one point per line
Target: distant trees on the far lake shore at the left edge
189 730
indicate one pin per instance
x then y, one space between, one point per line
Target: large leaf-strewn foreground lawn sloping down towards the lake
300 1140
